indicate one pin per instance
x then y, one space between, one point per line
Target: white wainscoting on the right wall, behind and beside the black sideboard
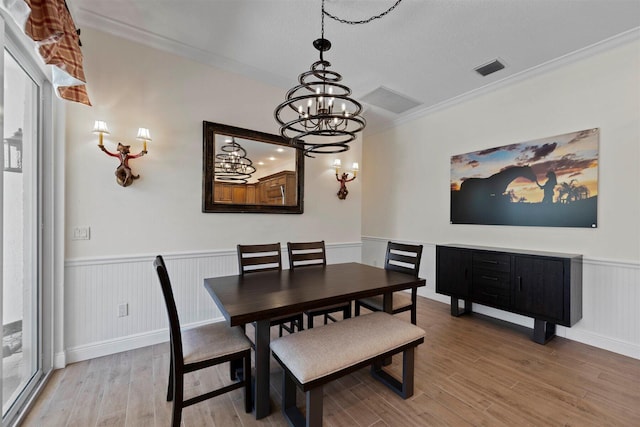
610 296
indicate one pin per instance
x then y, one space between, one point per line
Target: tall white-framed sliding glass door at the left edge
27 355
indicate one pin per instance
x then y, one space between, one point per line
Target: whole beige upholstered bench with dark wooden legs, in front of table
314 357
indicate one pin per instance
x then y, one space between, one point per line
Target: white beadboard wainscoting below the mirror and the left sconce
94 288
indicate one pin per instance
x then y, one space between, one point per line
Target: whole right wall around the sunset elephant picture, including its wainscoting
410 201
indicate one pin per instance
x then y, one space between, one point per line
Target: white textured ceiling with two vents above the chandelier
425 50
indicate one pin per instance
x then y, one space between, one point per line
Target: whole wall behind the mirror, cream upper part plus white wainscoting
133 86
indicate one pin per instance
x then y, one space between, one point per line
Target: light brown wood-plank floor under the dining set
471 370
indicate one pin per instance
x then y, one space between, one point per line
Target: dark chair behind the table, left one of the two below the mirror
268 257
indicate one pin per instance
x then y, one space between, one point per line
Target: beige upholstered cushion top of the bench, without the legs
318 352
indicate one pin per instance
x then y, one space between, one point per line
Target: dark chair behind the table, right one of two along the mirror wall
304 254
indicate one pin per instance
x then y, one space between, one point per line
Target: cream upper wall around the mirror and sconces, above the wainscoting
135 86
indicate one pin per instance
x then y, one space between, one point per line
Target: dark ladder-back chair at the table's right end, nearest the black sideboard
405 259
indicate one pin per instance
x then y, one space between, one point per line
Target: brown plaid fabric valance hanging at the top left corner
50 25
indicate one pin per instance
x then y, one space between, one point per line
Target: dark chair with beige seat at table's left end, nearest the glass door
200 347
